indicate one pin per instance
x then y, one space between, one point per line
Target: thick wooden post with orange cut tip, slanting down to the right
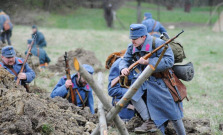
98 91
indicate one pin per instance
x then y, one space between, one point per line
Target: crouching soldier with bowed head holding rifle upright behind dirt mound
84 95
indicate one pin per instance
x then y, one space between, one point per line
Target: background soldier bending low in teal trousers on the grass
44 60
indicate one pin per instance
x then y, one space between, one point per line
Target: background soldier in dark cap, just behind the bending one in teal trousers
40 39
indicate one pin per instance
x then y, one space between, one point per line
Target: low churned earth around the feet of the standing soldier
192 126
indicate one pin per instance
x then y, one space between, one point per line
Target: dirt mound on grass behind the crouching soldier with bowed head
84 56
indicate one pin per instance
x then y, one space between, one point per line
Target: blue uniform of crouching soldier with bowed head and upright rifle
61 90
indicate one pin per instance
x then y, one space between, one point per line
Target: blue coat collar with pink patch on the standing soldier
146 47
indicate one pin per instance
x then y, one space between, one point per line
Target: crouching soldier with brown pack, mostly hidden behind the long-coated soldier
117 91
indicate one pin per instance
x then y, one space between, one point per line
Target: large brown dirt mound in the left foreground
28 113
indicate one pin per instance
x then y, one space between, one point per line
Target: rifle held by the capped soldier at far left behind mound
24 64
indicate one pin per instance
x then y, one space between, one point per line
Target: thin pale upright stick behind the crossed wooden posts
102 119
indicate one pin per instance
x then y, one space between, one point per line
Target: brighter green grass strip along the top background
86 18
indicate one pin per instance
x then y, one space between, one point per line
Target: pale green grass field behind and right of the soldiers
202 47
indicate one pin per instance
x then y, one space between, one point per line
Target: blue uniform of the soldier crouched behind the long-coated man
117 92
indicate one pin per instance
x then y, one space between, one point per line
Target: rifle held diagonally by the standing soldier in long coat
133 66
